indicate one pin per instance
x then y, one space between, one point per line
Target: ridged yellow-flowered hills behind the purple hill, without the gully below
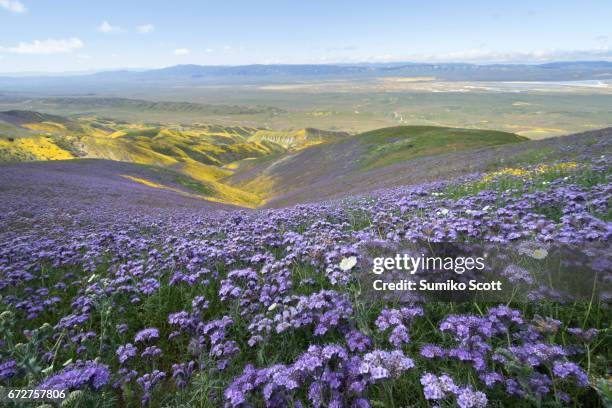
155 143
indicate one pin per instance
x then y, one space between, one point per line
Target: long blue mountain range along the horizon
191 74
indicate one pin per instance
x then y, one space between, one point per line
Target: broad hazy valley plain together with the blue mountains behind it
536 101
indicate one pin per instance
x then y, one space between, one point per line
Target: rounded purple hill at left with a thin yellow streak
103 186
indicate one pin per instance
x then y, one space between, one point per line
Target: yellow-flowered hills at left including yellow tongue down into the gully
203 153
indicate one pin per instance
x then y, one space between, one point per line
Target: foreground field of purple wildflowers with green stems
125 302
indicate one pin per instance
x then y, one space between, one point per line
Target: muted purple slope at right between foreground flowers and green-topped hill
443 166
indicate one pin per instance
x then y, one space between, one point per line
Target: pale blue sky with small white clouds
55 36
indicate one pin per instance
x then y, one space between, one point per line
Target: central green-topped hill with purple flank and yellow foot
360 154
